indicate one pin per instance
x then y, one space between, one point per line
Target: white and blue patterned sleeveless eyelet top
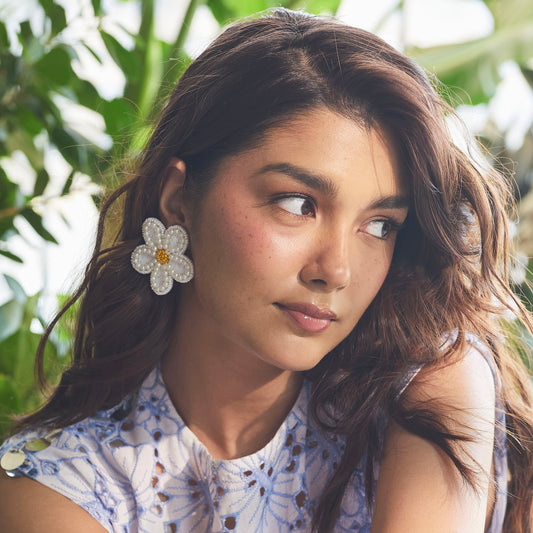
138 468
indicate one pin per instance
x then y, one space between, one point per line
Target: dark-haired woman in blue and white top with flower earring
318 344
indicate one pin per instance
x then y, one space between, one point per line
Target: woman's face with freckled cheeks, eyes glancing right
293 240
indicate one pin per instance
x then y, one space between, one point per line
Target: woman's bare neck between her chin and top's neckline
230 399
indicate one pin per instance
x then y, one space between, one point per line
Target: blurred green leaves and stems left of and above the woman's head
38 81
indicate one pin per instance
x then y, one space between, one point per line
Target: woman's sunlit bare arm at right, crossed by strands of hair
419 489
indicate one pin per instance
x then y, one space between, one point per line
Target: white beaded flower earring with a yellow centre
162 256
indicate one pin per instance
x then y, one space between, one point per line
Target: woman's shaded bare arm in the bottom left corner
26 506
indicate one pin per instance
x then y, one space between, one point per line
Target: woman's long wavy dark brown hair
448 274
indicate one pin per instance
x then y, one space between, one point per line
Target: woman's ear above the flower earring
171 199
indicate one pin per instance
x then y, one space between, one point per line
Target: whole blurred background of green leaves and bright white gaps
81 82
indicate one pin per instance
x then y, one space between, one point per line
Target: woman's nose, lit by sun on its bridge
328 265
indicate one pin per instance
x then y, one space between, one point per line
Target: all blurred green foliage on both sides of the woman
40 79
